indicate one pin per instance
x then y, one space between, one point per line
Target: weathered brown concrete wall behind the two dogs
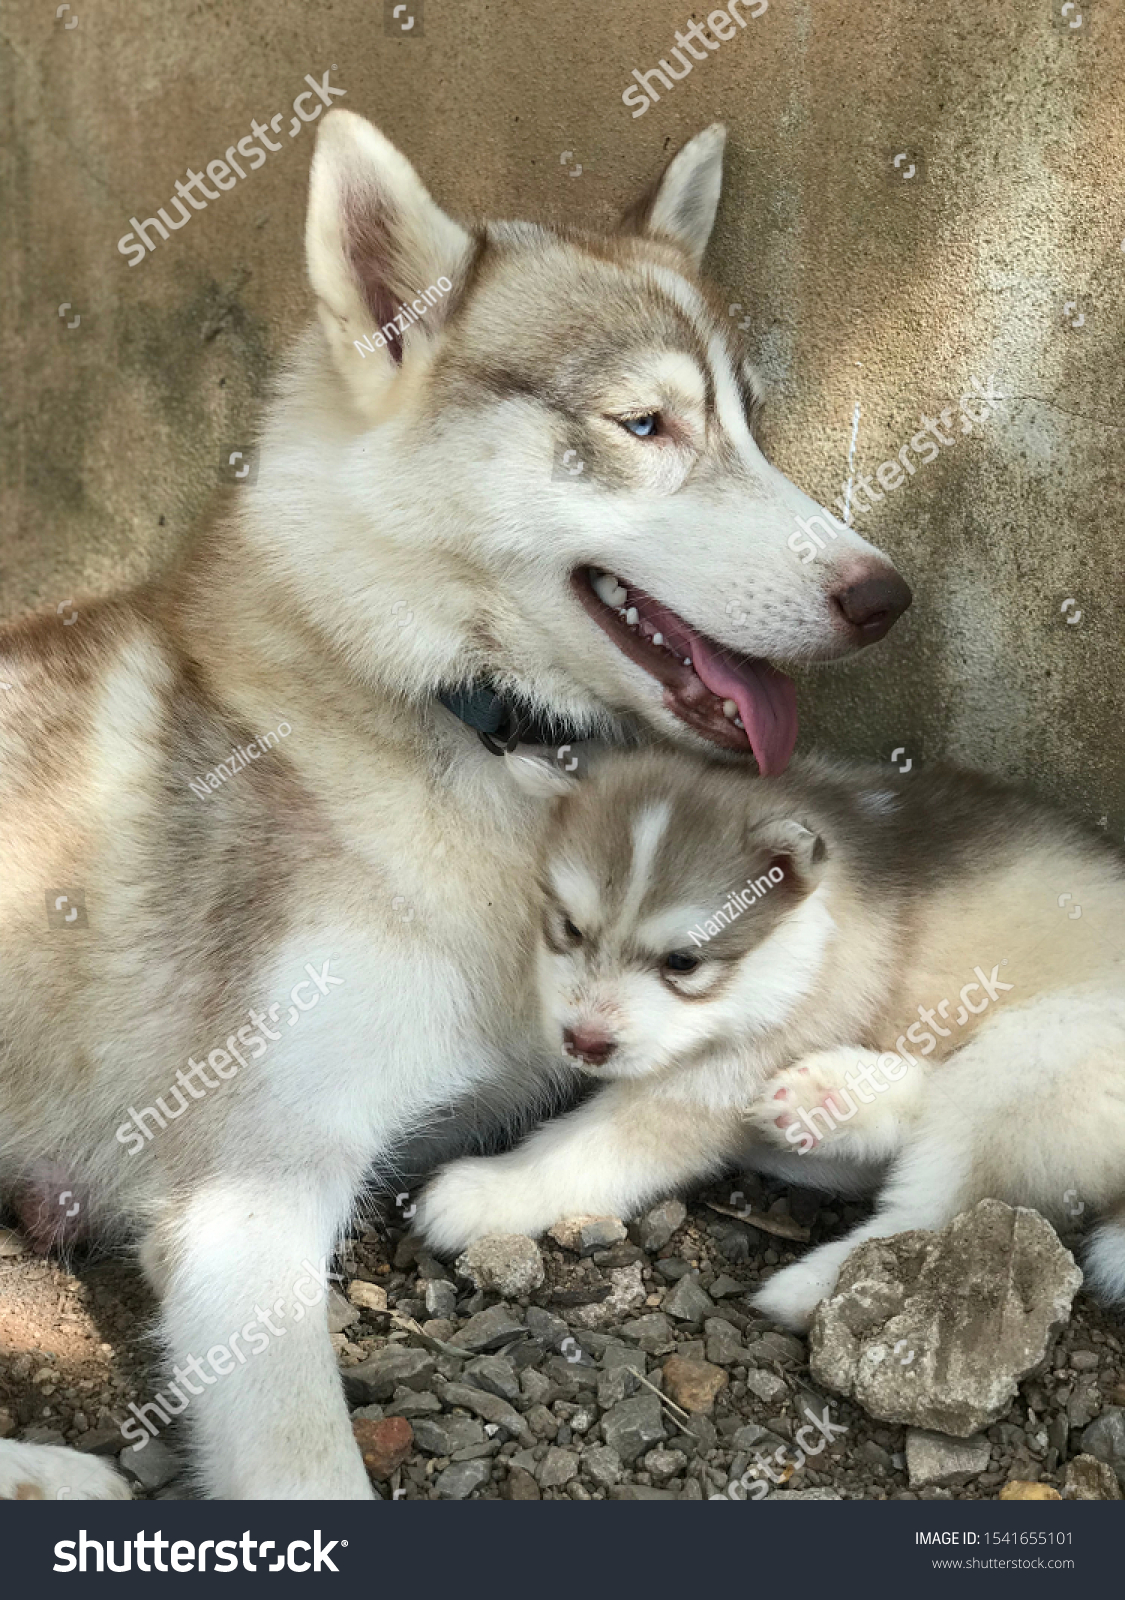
1003 255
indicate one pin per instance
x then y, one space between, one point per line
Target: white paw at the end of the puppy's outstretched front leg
479 1196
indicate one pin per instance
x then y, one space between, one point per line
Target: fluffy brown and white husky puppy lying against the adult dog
851 983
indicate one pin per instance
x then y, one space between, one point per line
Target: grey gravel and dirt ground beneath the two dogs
635 1370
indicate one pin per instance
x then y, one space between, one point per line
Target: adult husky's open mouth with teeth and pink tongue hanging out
740 703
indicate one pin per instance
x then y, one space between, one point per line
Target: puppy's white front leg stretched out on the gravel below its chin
612 1156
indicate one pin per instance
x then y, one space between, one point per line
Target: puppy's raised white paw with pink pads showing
851 1105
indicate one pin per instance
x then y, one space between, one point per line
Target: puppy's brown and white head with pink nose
659 950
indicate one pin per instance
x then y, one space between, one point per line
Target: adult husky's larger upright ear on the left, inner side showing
385 260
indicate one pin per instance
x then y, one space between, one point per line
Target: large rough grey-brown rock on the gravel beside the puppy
937 1330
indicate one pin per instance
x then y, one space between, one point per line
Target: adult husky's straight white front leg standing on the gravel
247 1338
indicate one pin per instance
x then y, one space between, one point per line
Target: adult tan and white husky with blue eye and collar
415 532
